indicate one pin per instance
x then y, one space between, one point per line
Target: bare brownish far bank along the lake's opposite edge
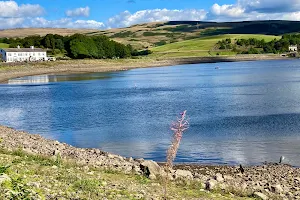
16 70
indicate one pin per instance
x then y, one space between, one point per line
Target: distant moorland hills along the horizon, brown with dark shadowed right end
160 33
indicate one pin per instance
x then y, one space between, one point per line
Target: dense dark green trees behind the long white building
77 46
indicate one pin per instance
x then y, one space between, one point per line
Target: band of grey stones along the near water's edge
267 181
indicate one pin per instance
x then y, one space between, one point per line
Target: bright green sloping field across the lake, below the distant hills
202 46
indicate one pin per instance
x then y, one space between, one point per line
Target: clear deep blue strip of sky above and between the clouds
101 10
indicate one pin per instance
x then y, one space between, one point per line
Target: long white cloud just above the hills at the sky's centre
127 19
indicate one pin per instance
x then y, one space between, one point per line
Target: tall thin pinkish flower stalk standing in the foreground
178 127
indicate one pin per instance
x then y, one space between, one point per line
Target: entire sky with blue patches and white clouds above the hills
105 14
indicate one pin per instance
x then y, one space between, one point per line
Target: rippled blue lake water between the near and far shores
242 112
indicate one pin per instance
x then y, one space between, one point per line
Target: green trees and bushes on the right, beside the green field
256 46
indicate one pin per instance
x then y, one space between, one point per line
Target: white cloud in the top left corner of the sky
12 9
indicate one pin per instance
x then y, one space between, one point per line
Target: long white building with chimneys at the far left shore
23 54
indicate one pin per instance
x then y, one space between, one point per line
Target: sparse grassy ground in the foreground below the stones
39 177
